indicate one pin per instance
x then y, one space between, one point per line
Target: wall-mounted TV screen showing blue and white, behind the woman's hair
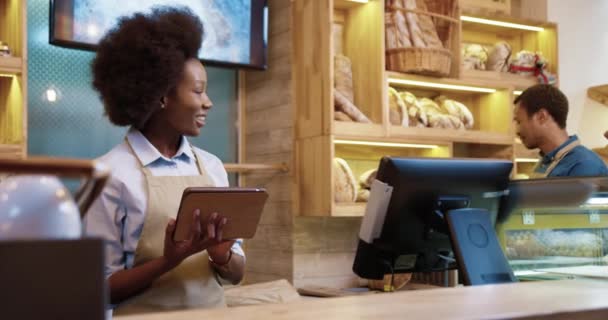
235 31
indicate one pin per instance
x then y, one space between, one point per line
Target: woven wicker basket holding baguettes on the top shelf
428 61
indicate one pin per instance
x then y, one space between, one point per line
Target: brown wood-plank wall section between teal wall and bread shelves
267 137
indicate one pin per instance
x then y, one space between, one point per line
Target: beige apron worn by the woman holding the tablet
192 284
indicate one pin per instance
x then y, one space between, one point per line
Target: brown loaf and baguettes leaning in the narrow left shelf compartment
344 107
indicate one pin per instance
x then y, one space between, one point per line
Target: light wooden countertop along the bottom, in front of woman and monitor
539 300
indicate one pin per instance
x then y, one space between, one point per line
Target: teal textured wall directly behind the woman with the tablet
74 126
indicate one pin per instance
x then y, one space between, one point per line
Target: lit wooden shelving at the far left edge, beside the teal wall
13 80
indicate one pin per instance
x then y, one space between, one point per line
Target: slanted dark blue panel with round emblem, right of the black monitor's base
478 254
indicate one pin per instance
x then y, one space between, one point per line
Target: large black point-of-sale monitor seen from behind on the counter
414 236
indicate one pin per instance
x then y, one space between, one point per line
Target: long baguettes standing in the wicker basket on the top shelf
408 29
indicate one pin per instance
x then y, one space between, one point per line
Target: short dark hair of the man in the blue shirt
548 97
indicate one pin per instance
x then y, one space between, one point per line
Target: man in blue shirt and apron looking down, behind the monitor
540 115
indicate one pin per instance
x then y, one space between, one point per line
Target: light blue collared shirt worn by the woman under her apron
118 214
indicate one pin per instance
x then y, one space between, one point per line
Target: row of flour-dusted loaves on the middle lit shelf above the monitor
441 112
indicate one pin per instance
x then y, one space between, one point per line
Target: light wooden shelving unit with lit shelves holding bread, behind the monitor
357 31
